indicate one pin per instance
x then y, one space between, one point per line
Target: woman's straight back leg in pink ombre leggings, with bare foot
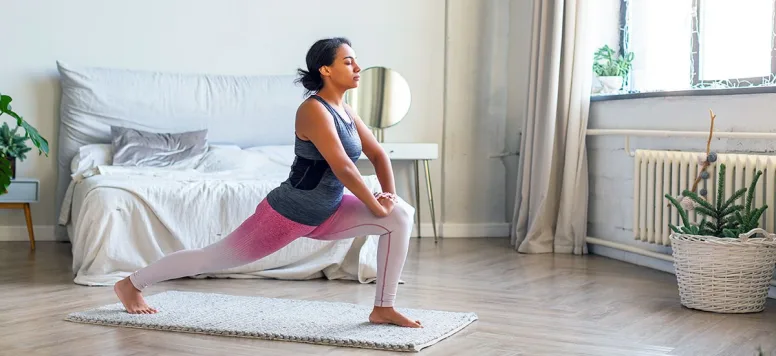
261 234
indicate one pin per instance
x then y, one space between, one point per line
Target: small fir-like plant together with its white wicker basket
719 266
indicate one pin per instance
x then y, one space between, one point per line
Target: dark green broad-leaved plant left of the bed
30 133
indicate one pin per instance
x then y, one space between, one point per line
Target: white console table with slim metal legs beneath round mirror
416 152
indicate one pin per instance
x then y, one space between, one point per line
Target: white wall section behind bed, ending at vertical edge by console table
229 37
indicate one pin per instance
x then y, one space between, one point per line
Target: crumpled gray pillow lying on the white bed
138 148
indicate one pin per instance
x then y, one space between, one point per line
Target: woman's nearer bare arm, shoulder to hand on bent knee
313 122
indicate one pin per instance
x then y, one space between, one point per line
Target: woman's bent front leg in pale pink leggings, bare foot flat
352 219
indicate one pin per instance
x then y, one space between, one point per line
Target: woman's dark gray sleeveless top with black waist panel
312 193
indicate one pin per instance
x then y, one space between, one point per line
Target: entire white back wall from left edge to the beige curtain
484 59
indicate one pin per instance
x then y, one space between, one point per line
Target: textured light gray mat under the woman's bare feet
325 323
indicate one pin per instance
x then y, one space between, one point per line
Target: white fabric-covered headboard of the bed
241 110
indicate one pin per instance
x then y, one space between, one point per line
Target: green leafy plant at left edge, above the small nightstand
13 146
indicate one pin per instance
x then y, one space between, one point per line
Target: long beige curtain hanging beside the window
550 214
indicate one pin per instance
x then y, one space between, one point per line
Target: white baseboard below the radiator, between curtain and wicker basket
642 257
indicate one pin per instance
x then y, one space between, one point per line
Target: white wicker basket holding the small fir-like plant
724 275
